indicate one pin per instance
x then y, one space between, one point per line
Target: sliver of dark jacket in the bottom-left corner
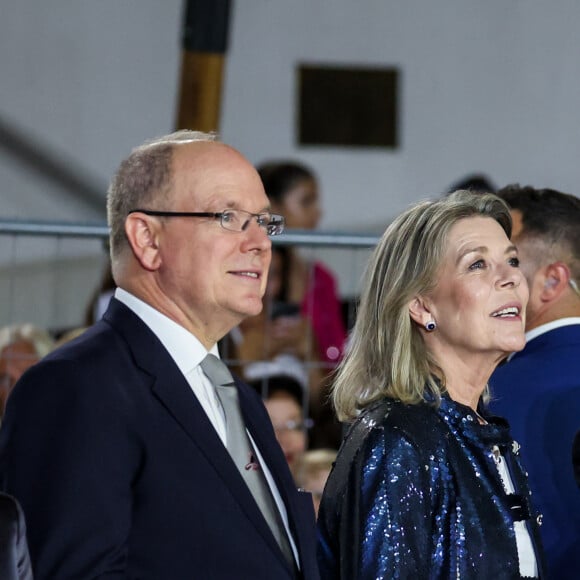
14 558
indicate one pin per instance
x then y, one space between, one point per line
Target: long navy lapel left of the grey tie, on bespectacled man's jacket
175 395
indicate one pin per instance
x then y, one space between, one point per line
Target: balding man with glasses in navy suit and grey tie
118 445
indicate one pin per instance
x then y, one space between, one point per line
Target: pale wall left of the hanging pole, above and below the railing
87 80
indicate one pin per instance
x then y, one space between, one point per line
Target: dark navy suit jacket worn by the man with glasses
121 474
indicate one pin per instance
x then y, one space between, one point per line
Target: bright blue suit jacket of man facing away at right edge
538 391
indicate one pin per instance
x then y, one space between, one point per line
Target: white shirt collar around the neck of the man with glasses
185 349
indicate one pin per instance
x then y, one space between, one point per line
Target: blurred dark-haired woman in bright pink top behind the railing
309 287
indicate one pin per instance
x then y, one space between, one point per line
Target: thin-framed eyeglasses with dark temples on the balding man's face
235 220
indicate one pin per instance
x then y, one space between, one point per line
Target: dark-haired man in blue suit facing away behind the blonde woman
538 390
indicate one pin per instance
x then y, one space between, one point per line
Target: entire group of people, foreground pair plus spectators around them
440 439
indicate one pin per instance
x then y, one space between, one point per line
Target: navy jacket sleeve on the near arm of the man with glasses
68 454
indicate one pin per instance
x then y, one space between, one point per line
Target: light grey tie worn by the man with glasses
241 451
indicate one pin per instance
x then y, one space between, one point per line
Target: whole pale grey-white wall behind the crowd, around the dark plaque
489 86
